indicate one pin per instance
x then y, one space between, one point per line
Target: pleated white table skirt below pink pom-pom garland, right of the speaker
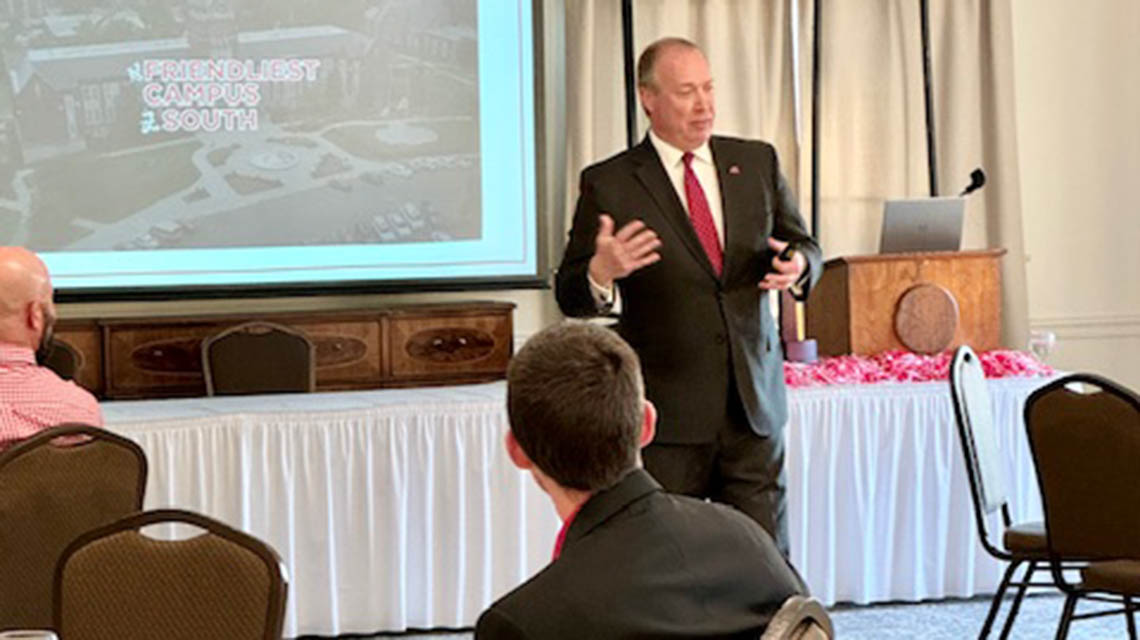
880 500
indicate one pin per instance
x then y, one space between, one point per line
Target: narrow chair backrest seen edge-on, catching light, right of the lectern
974 416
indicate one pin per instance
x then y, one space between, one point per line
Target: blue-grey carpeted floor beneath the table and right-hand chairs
948 620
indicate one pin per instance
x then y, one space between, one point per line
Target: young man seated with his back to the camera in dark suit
632 561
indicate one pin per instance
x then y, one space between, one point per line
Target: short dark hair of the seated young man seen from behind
575 401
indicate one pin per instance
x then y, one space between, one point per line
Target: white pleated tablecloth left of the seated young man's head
390 509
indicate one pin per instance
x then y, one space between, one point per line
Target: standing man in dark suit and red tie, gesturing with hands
702 222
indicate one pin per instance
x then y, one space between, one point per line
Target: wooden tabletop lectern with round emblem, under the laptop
924 303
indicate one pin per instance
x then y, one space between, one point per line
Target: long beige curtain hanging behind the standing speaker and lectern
873 119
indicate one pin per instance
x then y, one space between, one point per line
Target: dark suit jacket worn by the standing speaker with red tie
695 333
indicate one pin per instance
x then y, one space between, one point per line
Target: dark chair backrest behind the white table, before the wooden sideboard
258 358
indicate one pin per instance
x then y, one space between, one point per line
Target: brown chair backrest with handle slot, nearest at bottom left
117 582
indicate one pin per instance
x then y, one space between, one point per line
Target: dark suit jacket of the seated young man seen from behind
640 563
